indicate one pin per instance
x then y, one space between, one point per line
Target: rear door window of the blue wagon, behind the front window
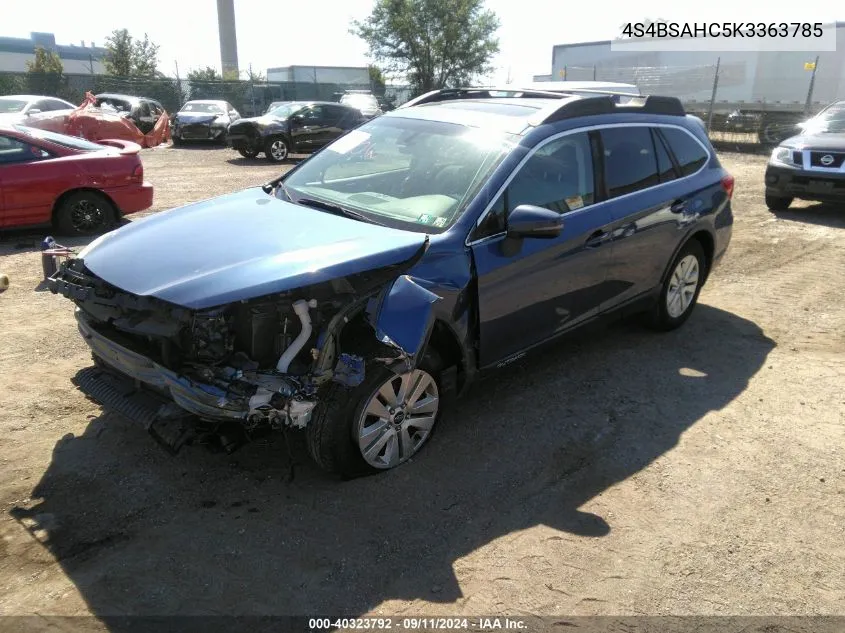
630 163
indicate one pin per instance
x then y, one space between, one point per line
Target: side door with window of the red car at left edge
29 178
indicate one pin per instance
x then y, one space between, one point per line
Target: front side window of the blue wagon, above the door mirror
558 176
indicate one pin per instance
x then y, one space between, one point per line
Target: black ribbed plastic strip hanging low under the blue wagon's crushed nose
169 425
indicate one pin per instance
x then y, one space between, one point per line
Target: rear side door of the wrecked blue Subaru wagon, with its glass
652 202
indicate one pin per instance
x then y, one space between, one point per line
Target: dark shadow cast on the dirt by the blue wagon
142 533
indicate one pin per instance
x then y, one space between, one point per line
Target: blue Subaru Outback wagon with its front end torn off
432 244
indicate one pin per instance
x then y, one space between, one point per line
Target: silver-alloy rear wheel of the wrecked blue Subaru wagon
681 289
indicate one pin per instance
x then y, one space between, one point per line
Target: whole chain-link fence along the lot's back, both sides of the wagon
719 94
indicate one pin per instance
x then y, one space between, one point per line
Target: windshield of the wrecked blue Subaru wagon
407 173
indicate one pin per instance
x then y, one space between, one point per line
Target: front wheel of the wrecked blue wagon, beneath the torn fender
378 425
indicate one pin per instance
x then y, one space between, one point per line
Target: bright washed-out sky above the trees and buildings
277 33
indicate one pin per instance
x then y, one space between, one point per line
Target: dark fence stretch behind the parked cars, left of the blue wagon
250 98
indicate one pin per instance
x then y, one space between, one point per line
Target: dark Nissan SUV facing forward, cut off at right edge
811 165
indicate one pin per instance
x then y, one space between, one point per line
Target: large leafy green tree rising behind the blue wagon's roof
434 43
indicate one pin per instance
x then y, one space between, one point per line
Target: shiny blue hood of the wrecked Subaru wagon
241 246
